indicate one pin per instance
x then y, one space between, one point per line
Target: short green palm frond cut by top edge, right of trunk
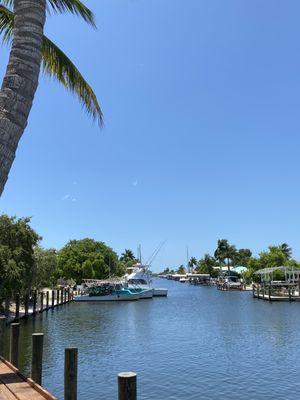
74 7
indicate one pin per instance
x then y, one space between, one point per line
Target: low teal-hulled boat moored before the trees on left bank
108 292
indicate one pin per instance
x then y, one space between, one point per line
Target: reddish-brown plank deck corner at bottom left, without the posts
13 385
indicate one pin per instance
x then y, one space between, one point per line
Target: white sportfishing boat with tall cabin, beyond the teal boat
138 276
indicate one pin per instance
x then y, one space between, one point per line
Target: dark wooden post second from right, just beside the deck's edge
71 368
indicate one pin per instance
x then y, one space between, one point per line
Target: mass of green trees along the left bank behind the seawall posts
26 267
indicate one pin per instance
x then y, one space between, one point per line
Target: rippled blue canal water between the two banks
199 343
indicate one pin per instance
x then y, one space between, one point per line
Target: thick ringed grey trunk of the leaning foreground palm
21 79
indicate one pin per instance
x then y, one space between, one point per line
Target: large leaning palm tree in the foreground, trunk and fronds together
24 26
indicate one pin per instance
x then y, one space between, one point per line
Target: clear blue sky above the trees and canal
201 137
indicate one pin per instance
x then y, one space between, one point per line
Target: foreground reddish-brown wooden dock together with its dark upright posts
15 386
